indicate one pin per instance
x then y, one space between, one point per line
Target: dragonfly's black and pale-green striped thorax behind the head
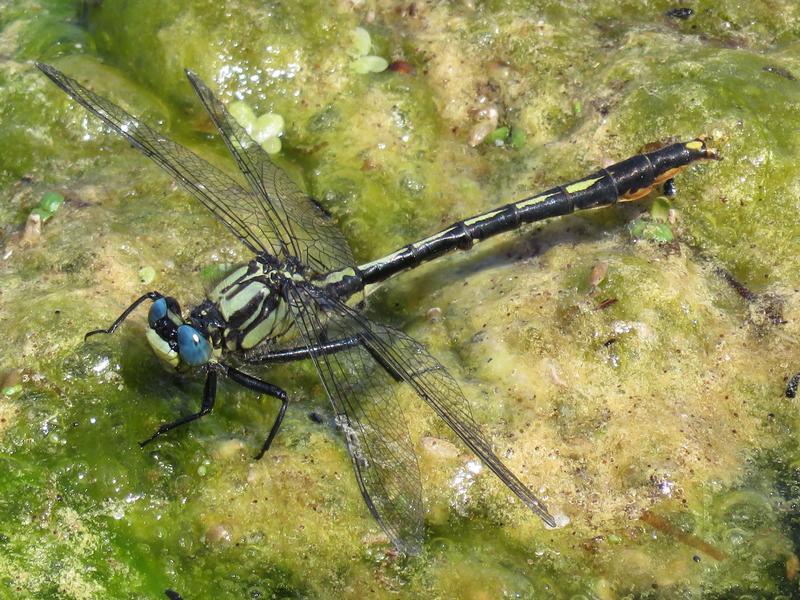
249 307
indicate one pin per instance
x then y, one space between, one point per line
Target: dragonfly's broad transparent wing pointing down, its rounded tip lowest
364 399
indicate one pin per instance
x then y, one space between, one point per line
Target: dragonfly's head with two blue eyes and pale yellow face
174 341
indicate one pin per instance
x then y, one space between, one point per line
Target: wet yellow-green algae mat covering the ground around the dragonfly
658 390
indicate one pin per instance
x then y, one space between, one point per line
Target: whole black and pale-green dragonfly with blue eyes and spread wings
293 301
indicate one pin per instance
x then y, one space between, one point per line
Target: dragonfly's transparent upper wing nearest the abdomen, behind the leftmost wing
303 227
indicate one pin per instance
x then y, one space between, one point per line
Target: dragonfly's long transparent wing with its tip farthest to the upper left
238 209
